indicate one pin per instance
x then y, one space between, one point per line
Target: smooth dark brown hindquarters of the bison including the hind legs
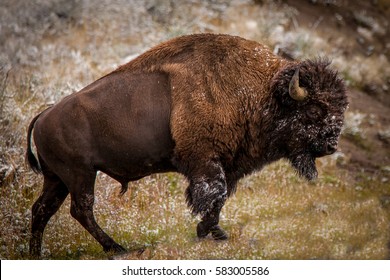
119 125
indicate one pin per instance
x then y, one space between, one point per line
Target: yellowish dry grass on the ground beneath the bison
274 215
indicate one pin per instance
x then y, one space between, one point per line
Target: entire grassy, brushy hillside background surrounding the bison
49 49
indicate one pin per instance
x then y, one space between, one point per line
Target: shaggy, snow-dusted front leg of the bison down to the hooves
206 196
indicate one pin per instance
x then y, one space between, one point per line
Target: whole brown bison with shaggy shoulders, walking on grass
212 107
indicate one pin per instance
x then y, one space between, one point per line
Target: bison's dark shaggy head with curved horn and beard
311 101
